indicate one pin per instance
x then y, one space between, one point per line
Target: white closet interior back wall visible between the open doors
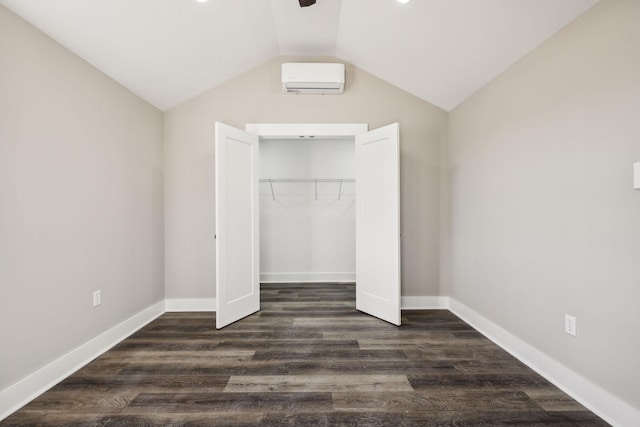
307 230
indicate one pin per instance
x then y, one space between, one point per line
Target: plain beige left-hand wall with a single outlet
81 200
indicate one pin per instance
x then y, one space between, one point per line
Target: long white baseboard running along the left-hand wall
19 394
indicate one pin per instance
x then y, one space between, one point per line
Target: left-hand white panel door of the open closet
237 222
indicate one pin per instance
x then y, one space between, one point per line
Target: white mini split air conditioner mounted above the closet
313 78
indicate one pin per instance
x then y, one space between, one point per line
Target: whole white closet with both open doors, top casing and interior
310 203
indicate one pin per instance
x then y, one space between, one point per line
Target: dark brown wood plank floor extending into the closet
308 358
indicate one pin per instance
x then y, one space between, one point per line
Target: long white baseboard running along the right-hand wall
607 406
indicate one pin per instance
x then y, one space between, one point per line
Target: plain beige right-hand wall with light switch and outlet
544 218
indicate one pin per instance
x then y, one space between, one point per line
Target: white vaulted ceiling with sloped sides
168 51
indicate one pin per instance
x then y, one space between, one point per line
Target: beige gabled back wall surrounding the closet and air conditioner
256 97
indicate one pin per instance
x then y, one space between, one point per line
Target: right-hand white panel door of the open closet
378 223
